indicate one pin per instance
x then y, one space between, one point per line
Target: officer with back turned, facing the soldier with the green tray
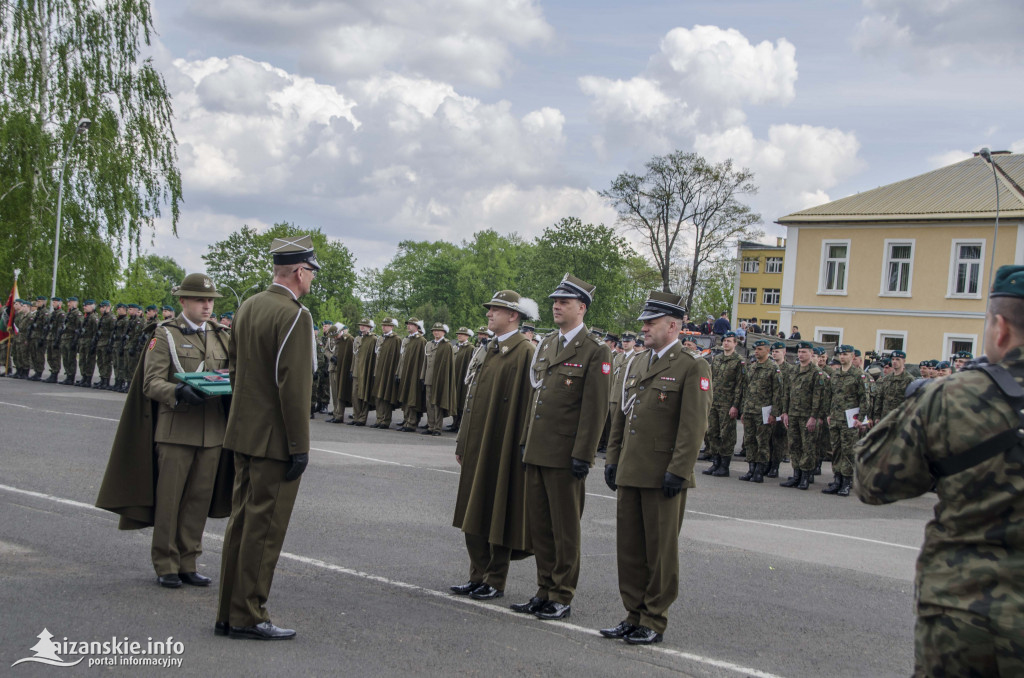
272 361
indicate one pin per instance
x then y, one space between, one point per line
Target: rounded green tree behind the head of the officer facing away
242 266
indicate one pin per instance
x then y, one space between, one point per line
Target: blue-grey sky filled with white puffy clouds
385 120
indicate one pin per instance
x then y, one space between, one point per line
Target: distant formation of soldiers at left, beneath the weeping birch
82 342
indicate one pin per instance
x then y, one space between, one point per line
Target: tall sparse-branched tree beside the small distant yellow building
684 195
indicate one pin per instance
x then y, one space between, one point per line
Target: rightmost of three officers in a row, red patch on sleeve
656 439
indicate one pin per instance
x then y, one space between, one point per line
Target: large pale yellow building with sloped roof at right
906 267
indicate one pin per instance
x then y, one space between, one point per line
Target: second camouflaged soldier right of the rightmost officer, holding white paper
763 389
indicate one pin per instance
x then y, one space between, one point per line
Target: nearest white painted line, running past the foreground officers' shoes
323 565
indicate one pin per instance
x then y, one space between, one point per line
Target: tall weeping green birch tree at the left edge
62 62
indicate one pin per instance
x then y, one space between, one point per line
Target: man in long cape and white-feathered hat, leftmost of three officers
491 506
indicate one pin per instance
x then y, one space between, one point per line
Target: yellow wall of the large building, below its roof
928 315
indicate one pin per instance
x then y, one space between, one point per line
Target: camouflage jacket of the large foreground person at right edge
973 555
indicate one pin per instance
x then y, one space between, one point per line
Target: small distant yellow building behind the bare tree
759 285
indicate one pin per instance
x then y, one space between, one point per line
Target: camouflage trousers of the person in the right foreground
959 645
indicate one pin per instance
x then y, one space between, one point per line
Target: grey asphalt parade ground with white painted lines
774 581
